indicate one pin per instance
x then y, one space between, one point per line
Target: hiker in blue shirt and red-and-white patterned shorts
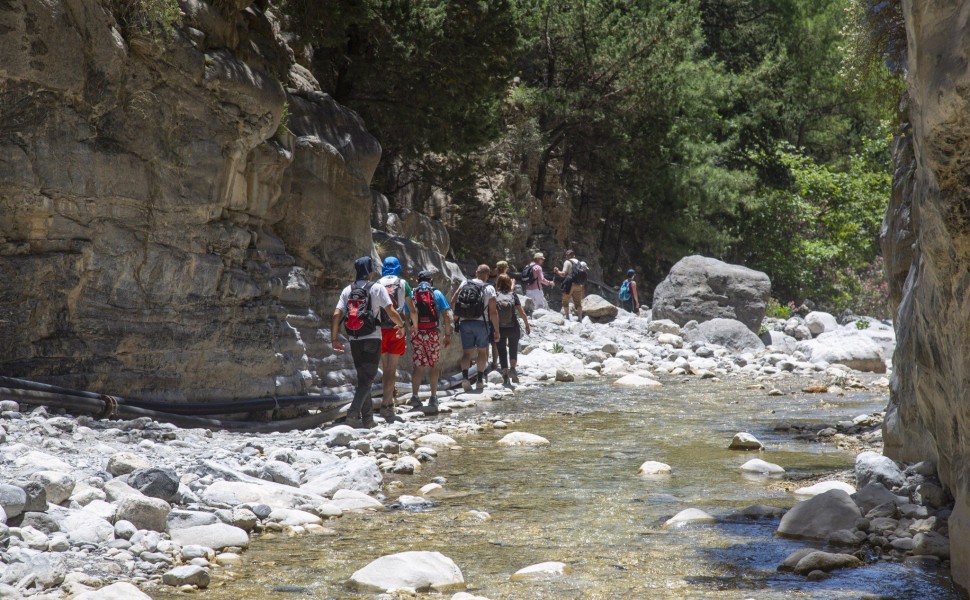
426 342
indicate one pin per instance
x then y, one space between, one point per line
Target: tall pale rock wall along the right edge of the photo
929 411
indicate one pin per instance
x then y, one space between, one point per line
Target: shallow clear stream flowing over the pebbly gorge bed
581 502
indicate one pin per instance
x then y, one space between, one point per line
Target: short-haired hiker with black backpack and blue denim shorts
474 307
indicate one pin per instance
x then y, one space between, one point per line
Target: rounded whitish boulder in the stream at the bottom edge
421 571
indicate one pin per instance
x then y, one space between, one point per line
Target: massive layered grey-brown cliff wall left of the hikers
161 235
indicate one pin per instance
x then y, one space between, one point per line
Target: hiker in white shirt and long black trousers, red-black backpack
358 308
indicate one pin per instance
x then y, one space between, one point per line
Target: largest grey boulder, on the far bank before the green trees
700 289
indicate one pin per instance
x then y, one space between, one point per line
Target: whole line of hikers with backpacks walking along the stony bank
376 317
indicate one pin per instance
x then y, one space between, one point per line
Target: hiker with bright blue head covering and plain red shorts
392 346
